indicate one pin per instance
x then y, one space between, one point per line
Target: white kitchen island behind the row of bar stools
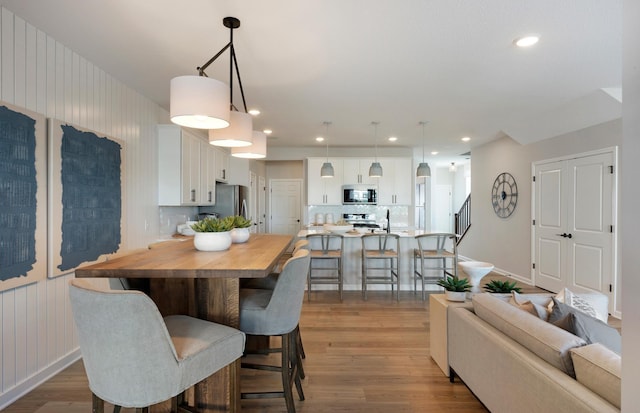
352 263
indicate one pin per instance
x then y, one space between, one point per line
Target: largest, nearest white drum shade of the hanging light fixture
199 102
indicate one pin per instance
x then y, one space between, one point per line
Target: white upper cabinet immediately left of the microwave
324 191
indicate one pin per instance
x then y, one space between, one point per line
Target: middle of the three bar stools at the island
384 250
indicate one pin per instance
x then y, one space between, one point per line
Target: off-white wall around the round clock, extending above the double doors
507 242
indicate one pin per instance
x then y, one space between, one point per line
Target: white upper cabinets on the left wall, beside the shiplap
180 167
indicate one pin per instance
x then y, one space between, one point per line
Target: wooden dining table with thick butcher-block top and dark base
183 280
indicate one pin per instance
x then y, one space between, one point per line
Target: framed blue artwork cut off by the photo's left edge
23 199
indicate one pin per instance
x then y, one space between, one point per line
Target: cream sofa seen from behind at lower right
514 361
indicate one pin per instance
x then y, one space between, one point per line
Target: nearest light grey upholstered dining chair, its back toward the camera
134 358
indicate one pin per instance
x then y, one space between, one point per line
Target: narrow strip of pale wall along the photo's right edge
630 205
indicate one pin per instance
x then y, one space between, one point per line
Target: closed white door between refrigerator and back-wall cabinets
285 206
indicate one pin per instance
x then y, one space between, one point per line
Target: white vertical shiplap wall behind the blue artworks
37 337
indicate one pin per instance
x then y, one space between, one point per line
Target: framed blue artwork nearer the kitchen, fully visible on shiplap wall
85 197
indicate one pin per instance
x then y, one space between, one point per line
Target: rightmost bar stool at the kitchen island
441 248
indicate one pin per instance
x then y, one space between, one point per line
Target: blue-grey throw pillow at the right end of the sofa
590 329
